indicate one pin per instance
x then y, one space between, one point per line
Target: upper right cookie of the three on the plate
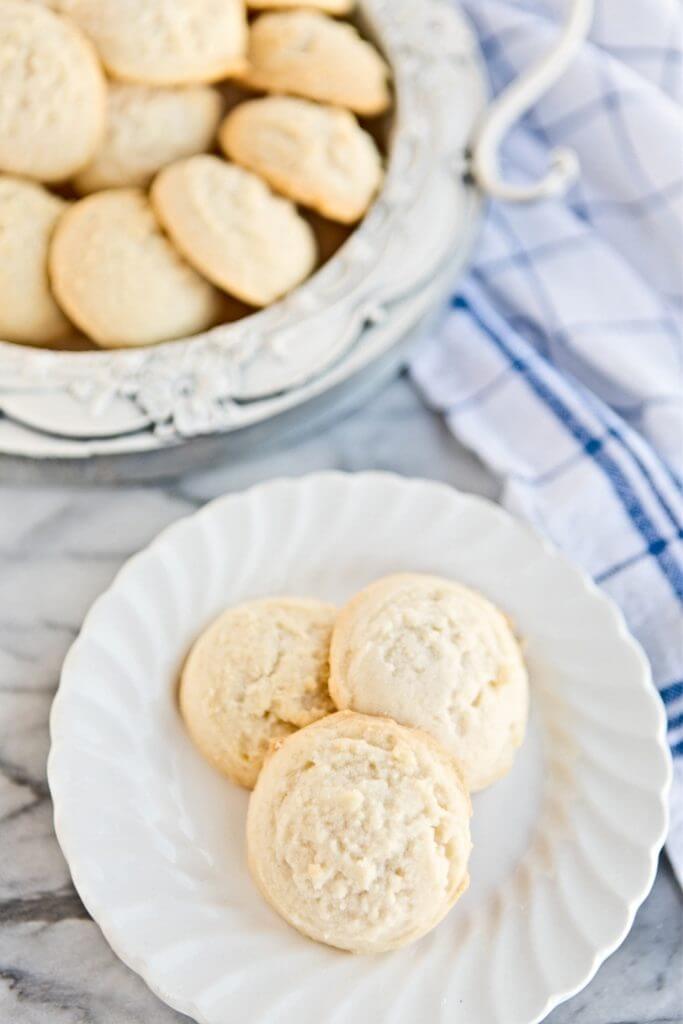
437 656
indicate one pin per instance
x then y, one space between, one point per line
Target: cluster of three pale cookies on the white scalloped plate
362 733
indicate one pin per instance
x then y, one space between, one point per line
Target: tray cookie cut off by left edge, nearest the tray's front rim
28 312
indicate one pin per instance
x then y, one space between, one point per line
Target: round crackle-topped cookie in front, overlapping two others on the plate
358 833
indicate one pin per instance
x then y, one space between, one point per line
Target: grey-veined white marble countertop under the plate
60 547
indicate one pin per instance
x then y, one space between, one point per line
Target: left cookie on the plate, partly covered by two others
257 675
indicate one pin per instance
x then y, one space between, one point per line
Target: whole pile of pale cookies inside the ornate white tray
138 199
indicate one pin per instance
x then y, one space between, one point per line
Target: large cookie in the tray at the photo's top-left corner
52 94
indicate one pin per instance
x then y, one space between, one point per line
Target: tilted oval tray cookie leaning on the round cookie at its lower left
229 225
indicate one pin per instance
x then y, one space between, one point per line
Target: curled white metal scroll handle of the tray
515 102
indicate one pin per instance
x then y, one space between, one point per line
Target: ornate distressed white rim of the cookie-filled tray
360 304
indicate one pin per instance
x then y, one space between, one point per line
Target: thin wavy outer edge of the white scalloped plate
100 914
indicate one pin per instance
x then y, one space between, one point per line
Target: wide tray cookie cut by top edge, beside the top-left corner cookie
165 42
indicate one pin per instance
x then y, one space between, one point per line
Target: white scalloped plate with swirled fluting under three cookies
565 848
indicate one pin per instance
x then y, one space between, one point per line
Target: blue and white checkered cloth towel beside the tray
561 359
